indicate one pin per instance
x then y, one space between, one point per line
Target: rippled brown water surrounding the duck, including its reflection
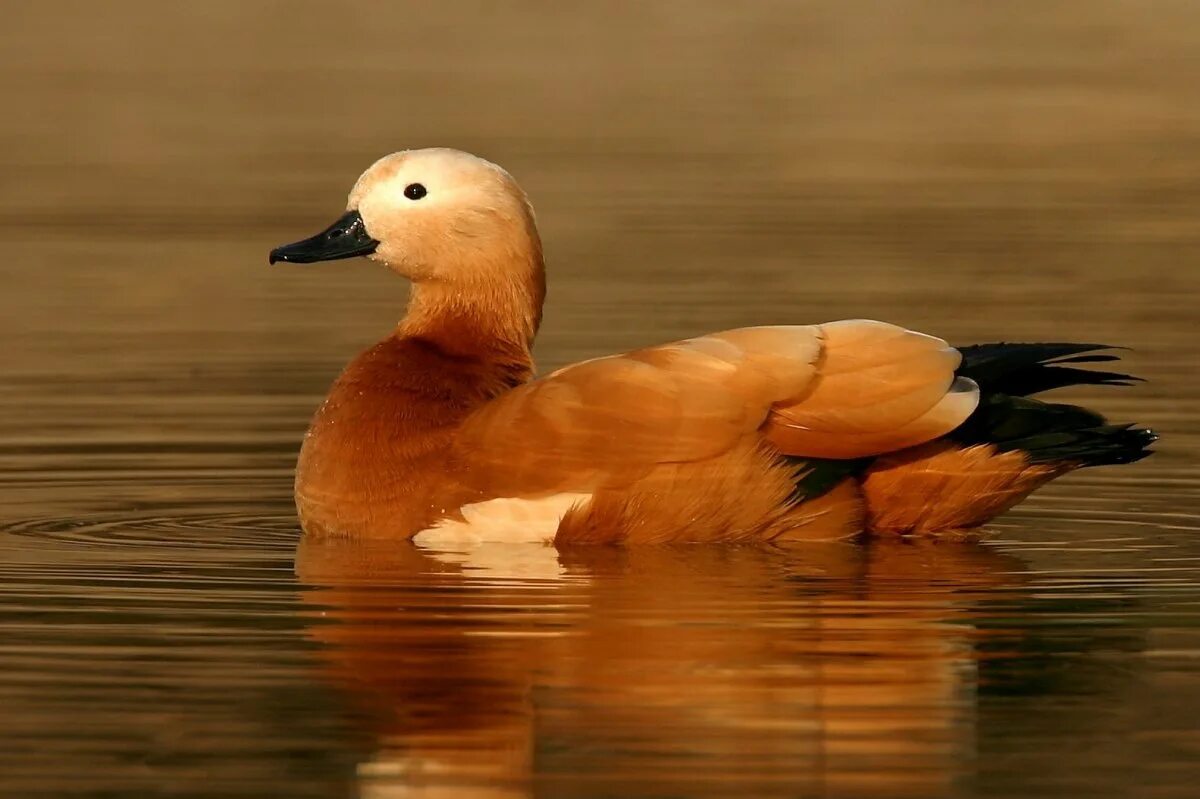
1016 172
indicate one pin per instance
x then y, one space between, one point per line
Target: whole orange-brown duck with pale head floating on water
443 434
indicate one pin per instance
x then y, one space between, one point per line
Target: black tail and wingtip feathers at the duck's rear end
1010 420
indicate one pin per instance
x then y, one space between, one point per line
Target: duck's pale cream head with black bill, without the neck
435 217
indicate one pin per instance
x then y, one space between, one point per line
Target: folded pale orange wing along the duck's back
842 391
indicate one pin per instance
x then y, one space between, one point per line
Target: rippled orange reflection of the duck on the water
827 670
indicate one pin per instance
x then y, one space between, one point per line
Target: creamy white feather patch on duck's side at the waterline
508 520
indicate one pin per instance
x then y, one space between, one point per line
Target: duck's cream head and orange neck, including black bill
461 230
